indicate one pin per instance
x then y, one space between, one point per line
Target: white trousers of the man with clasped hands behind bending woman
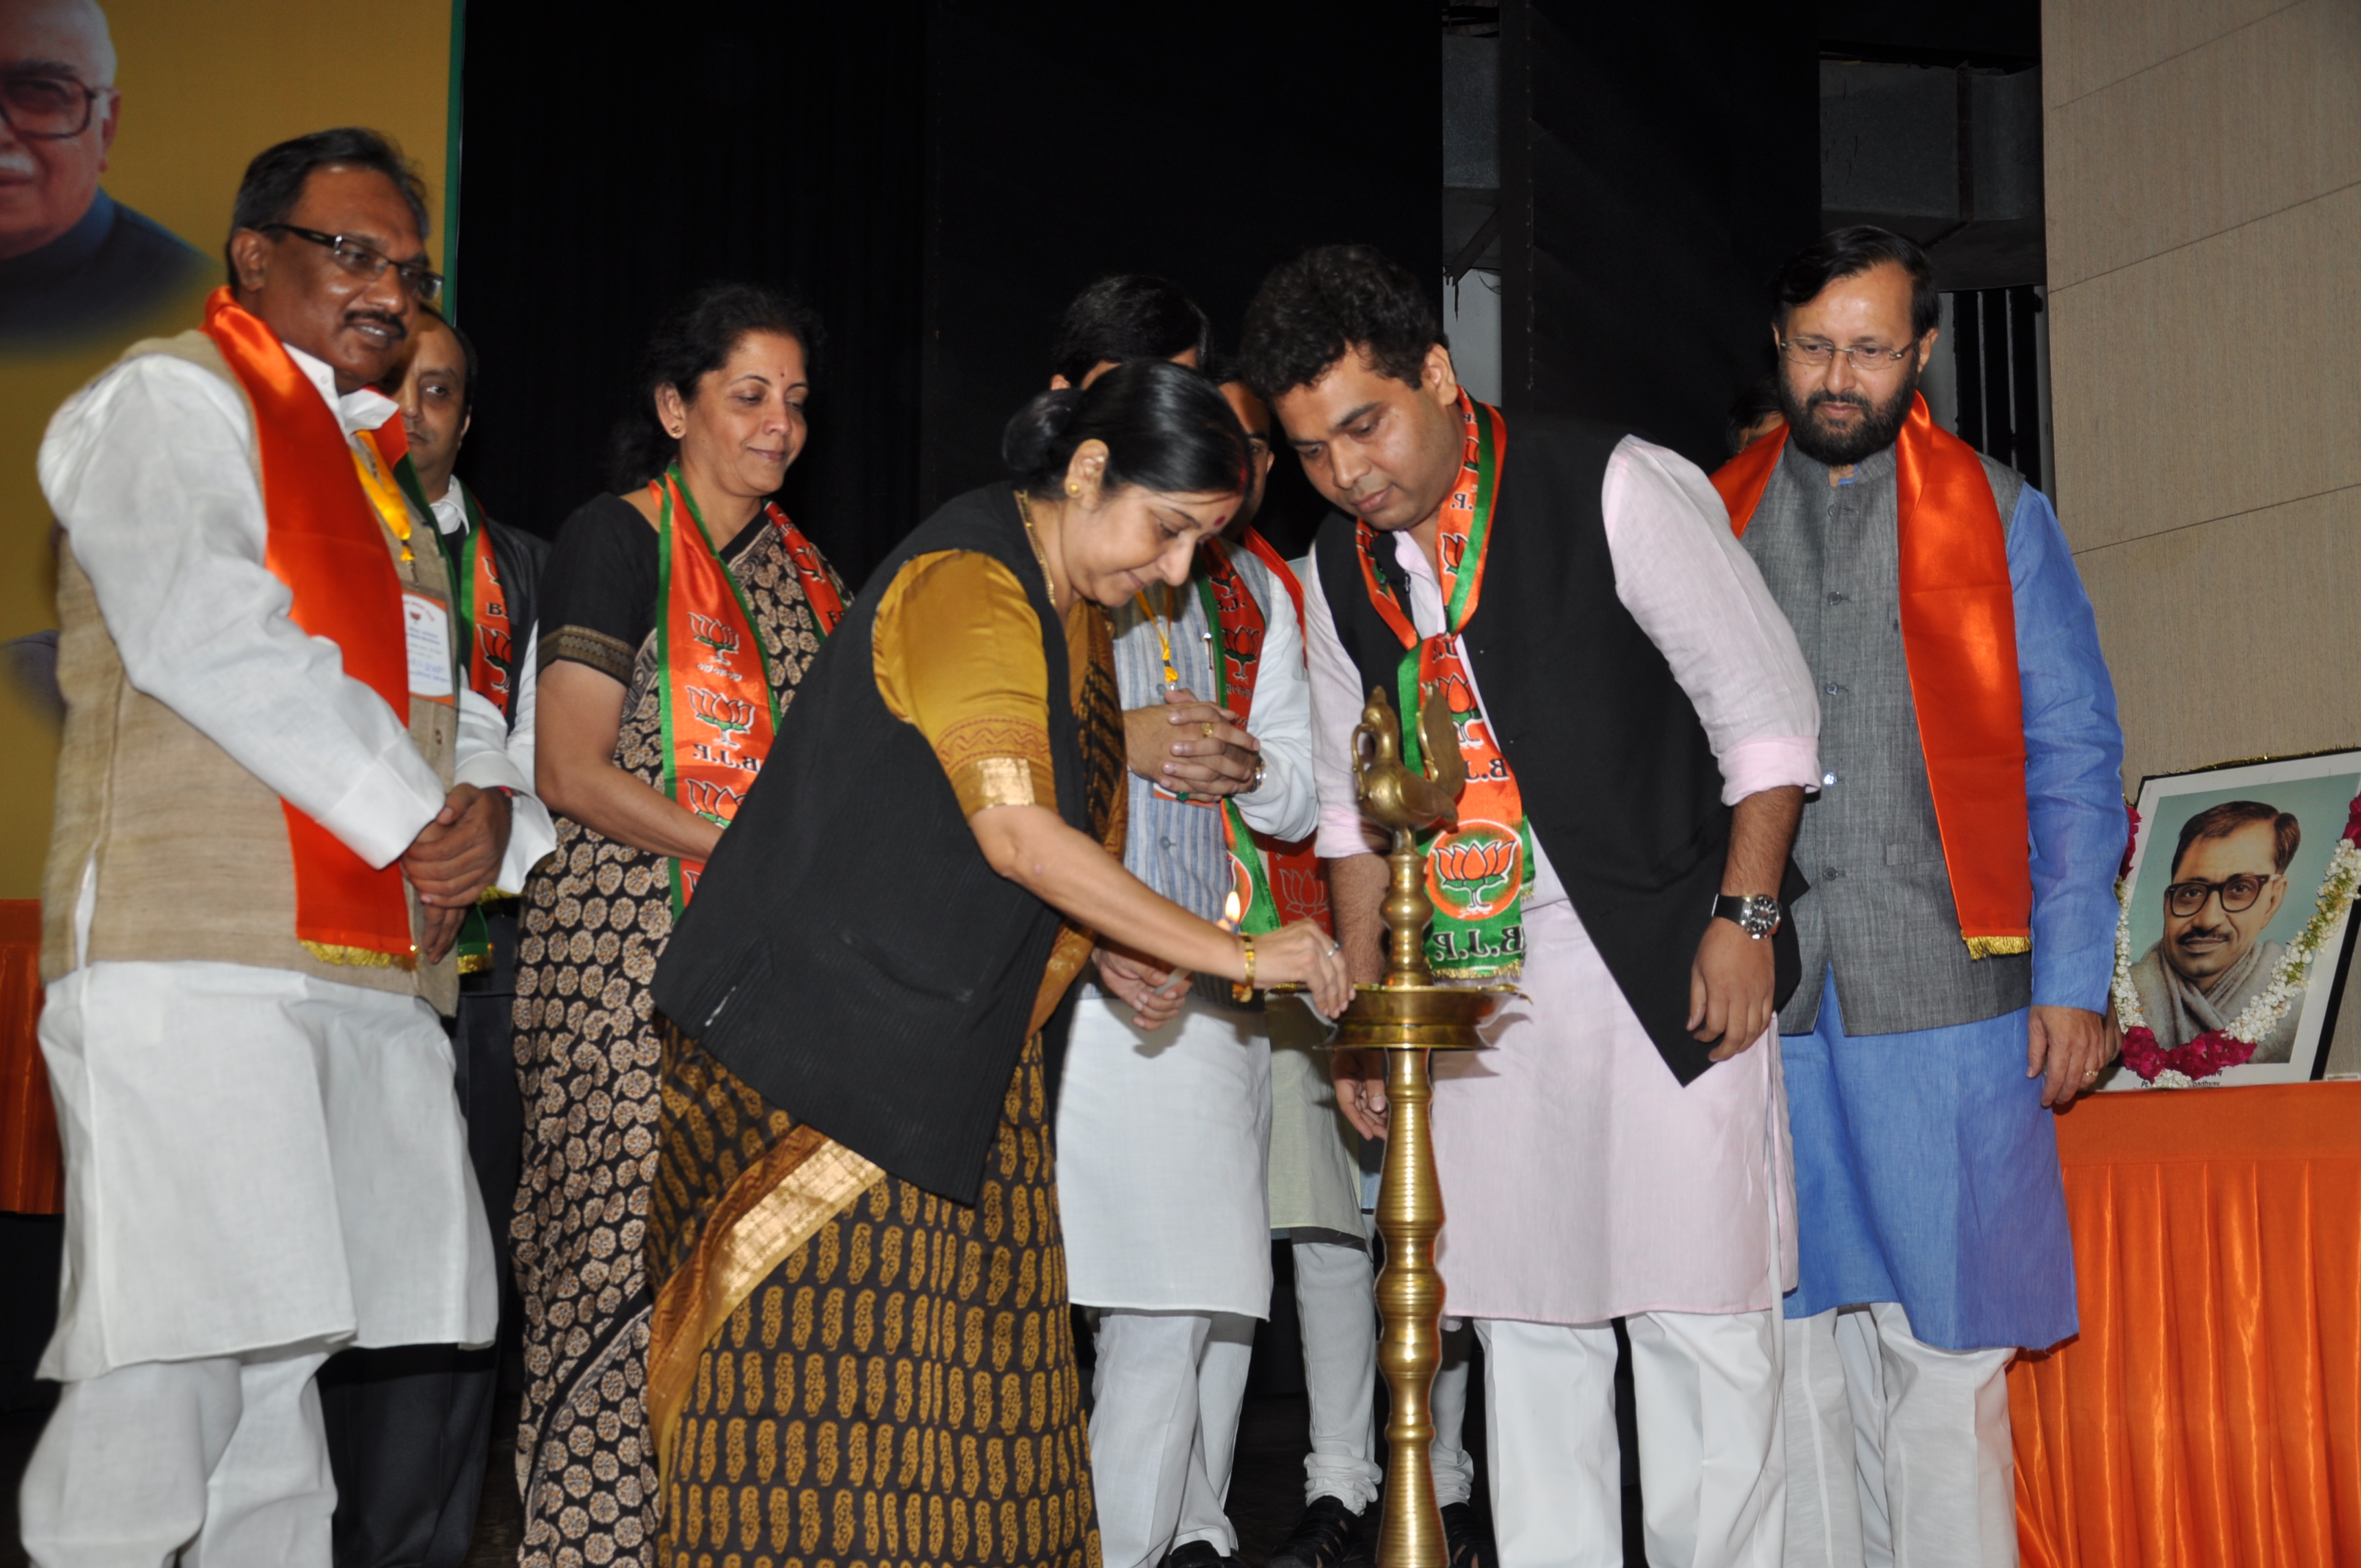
1163 1432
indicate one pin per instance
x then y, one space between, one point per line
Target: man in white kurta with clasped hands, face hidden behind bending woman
1165 1123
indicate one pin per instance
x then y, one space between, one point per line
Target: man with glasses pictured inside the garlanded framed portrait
2230 877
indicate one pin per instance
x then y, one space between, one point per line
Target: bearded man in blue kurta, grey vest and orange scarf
1958 941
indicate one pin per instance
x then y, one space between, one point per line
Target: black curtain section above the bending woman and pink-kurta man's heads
1203 143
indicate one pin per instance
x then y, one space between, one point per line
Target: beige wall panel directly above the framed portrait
2235 639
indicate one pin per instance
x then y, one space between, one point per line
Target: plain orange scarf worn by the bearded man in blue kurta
1961 643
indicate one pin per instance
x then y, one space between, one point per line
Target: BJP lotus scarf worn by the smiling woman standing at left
717 698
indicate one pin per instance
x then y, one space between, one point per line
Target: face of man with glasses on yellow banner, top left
58 74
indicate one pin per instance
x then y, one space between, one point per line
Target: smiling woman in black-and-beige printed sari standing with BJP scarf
679 622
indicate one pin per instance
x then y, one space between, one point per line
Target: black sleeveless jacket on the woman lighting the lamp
851 953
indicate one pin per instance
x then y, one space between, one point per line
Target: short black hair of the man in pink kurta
1326 303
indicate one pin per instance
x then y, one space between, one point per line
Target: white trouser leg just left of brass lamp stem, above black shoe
1335 1302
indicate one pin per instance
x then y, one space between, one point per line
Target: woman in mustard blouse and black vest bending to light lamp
861 1352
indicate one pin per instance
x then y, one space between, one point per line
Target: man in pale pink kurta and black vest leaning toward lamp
1583 1182
